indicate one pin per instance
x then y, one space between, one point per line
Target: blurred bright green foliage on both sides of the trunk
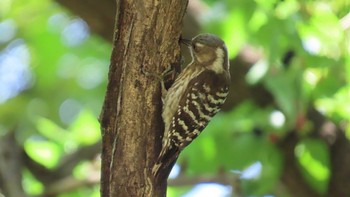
64 69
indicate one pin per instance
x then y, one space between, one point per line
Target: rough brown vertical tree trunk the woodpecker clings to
146 35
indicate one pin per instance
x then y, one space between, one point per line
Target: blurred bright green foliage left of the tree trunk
57 111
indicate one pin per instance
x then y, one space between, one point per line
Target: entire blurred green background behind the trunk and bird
284 130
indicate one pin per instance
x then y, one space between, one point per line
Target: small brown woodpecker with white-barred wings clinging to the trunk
196 95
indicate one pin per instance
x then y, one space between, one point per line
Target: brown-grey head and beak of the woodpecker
210 51
